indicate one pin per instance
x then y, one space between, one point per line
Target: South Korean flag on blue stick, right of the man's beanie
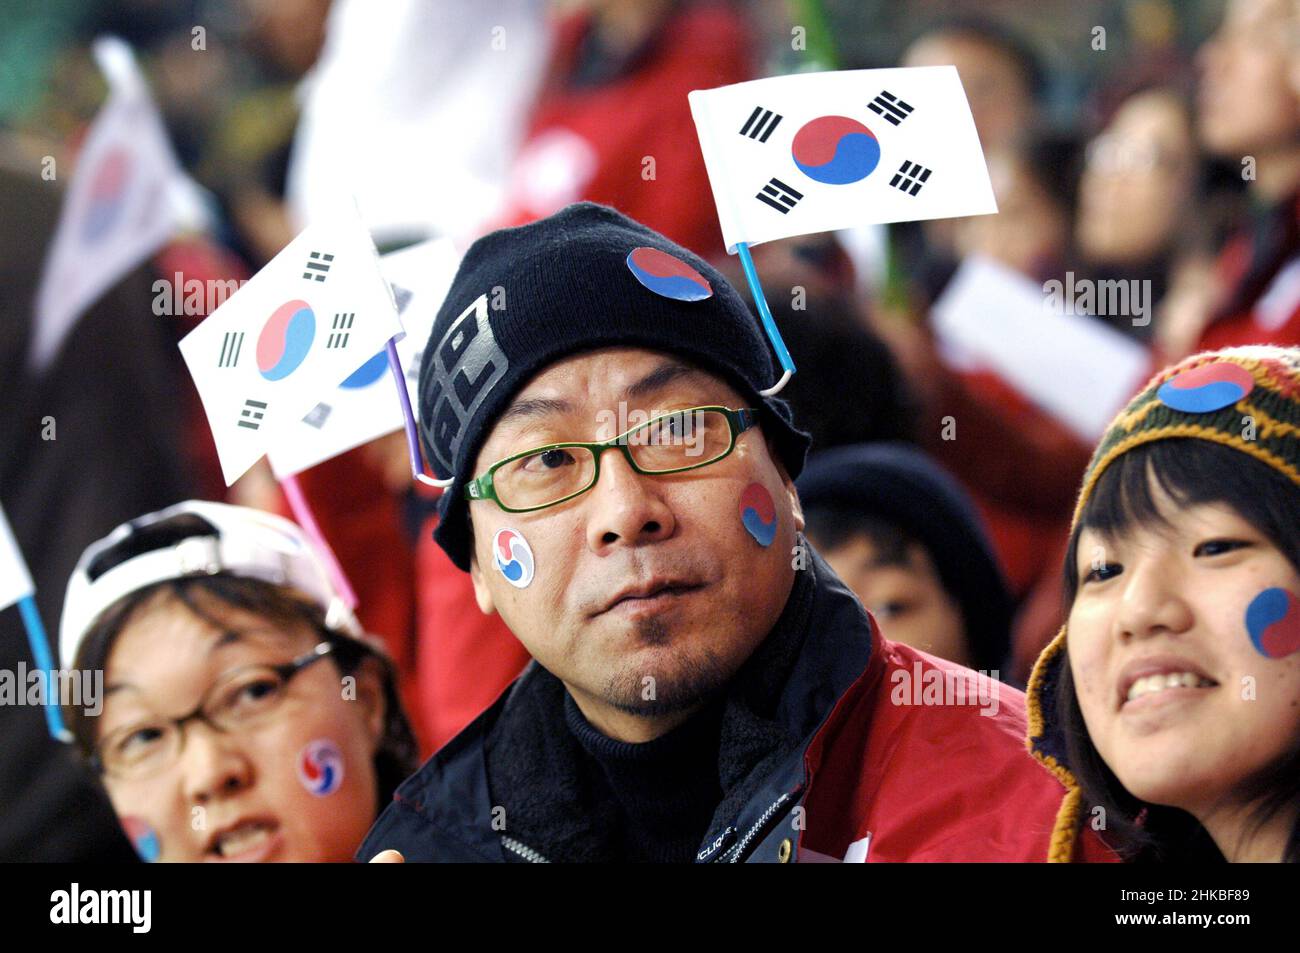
824 151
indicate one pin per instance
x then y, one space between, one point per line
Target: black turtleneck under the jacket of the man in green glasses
666 790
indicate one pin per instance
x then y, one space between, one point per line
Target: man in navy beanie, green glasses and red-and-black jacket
704 688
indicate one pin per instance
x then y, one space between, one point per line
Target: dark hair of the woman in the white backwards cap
397 755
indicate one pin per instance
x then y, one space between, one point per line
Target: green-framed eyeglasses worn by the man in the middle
669 444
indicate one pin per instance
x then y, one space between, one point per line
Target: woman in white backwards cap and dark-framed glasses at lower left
246 717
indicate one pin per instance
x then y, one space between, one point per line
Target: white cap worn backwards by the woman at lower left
248 543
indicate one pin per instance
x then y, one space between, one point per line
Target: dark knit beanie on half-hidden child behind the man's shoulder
900 486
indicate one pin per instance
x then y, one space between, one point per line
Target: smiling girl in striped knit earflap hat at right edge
1169 704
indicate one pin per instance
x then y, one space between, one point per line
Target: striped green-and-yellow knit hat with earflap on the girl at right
1247 398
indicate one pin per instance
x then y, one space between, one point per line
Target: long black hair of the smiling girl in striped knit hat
1191 473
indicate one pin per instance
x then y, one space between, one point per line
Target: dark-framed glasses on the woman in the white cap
242 699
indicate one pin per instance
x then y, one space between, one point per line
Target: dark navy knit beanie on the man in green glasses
584 279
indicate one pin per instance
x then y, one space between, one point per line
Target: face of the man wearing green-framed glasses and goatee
707 591
